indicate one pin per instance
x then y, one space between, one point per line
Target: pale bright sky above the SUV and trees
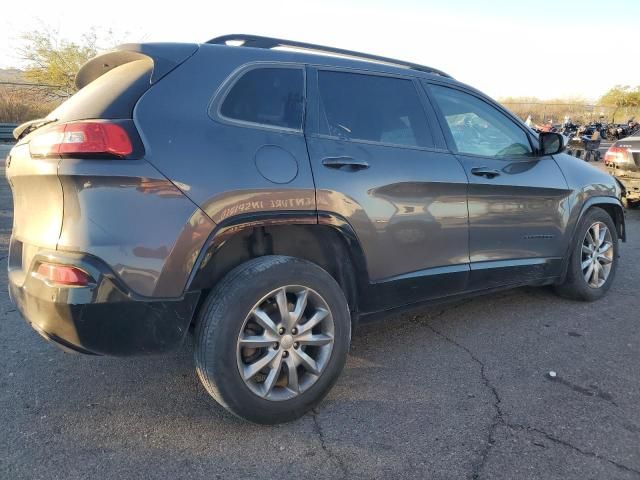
547 49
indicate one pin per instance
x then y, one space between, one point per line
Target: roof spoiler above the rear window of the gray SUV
165 57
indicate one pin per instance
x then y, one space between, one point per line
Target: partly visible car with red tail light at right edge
623 159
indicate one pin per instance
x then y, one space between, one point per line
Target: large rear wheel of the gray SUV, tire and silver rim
272 338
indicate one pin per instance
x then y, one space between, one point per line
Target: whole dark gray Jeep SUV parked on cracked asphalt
273 198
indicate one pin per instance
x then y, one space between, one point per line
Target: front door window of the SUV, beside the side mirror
479 128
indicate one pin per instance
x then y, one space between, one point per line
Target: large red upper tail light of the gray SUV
82 138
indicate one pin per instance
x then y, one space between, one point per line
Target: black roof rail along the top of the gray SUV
256 41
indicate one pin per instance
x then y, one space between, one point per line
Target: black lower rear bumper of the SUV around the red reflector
103 318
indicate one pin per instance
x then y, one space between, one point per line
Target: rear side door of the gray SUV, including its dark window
379 163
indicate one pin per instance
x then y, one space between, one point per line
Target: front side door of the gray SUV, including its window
518 202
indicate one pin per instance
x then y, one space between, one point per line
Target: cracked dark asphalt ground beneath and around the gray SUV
456 391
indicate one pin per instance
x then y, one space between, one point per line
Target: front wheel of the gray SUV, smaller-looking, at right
593 261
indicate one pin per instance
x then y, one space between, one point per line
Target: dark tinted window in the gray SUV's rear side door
375 108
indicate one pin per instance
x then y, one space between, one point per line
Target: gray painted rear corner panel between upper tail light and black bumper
133 218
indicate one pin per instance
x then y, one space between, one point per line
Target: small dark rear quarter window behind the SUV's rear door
269 96
